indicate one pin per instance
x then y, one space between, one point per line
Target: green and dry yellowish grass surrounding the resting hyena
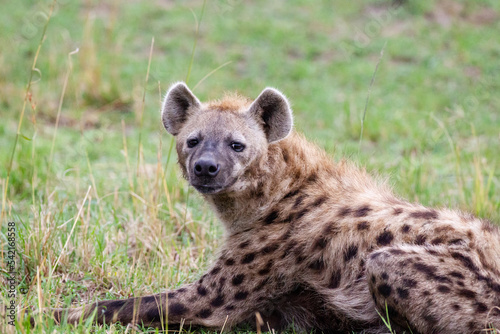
99 205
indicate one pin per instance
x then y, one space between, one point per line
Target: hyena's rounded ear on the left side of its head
178 103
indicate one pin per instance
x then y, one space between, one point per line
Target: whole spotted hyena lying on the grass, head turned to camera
309 241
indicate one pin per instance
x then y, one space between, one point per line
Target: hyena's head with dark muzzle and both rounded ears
218 142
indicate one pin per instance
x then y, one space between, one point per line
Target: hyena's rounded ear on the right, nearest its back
271 108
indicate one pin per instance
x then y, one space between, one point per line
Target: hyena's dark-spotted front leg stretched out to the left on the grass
229 293
